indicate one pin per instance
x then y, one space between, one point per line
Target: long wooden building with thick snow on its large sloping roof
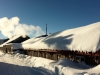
78 44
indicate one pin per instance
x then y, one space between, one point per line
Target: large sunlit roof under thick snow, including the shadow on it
86 38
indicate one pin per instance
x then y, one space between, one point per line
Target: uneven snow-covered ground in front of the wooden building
18 64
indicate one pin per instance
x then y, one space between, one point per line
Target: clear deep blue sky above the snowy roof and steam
58 14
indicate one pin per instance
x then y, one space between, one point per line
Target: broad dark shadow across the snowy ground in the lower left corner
10 69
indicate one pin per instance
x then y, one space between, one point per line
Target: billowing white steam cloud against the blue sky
11 27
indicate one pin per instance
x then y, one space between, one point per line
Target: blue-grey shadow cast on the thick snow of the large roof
59 42
